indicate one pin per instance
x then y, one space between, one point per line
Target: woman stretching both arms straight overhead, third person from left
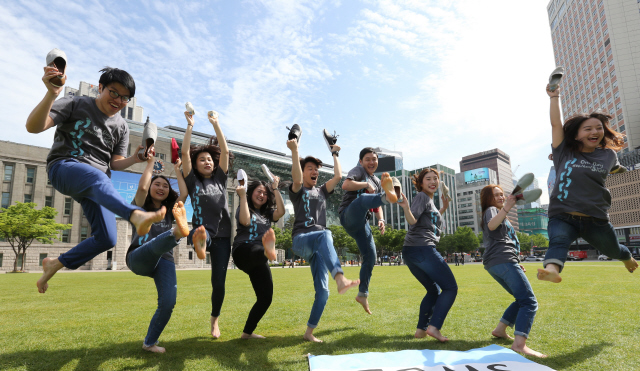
206 168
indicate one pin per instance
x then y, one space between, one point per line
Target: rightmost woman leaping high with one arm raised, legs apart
584 153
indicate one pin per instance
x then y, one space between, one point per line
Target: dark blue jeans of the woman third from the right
428 266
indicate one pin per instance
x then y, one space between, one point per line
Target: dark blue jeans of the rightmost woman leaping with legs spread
565 228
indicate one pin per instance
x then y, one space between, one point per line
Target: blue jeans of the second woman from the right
522 311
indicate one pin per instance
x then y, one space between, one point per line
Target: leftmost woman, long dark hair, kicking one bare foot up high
151 254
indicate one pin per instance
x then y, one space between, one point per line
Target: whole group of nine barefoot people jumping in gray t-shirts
91 138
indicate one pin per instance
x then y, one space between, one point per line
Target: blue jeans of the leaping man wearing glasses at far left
100 203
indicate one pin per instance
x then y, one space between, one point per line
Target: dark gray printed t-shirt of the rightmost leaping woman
580 178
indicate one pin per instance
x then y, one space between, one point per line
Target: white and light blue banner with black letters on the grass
491 358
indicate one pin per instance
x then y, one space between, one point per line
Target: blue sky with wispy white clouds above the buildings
437 80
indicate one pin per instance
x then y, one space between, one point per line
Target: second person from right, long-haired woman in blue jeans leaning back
500 259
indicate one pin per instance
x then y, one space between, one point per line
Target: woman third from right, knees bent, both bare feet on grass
422 258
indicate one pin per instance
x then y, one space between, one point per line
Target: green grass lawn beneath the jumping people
97 321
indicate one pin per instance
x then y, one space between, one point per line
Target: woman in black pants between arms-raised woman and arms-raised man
260 205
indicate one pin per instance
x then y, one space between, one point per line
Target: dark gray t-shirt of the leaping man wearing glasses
86 134
